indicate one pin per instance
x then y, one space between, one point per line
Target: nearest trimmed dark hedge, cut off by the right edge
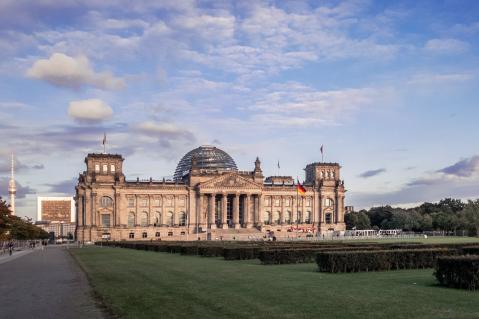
458 272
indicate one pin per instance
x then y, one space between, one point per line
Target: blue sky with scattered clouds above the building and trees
390 88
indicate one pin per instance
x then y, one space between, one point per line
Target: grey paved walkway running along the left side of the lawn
44 284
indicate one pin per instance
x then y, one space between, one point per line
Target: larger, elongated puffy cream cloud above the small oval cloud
65 71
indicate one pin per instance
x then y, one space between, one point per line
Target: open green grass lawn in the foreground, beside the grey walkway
142 284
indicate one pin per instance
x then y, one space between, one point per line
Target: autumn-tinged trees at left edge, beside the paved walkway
14 227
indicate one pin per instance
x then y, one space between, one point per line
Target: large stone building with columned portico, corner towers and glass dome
209 198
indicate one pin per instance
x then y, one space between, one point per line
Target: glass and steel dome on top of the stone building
207 157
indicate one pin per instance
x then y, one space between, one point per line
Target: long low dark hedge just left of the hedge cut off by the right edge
355 261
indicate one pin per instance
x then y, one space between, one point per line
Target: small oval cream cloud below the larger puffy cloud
92 110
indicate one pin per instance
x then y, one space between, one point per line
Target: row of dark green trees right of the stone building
449 215
